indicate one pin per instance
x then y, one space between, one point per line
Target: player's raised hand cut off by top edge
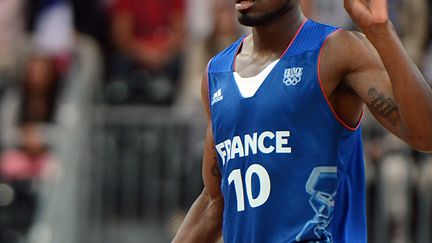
367 13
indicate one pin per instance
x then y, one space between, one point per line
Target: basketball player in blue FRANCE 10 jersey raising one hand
283 155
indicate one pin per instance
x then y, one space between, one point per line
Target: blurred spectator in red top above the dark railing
148 39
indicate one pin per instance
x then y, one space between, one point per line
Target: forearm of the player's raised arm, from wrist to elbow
412 93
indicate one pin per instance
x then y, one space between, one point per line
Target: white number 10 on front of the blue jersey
264 180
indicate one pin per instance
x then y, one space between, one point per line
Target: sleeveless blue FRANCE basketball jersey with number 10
291 170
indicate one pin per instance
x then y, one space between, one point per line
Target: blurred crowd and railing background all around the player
101 126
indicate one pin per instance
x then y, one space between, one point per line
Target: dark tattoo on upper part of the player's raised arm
384 106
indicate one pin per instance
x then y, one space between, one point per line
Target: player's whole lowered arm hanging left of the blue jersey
203 223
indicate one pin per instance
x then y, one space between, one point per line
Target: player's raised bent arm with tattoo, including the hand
386 78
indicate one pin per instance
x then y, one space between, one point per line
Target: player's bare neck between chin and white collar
275 36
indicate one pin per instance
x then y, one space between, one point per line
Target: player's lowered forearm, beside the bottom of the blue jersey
203 222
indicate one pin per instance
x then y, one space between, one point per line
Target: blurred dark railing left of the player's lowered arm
149 164
